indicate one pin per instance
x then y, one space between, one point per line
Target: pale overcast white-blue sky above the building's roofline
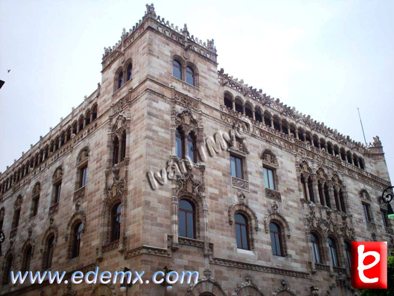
326 58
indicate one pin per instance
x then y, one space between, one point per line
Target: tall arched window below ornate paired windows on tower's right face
186 219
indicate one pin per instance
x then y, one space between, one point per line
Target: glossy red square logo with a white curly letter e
369 265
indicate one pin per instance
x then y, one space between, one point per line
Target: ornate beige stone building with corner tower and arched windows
172 163
